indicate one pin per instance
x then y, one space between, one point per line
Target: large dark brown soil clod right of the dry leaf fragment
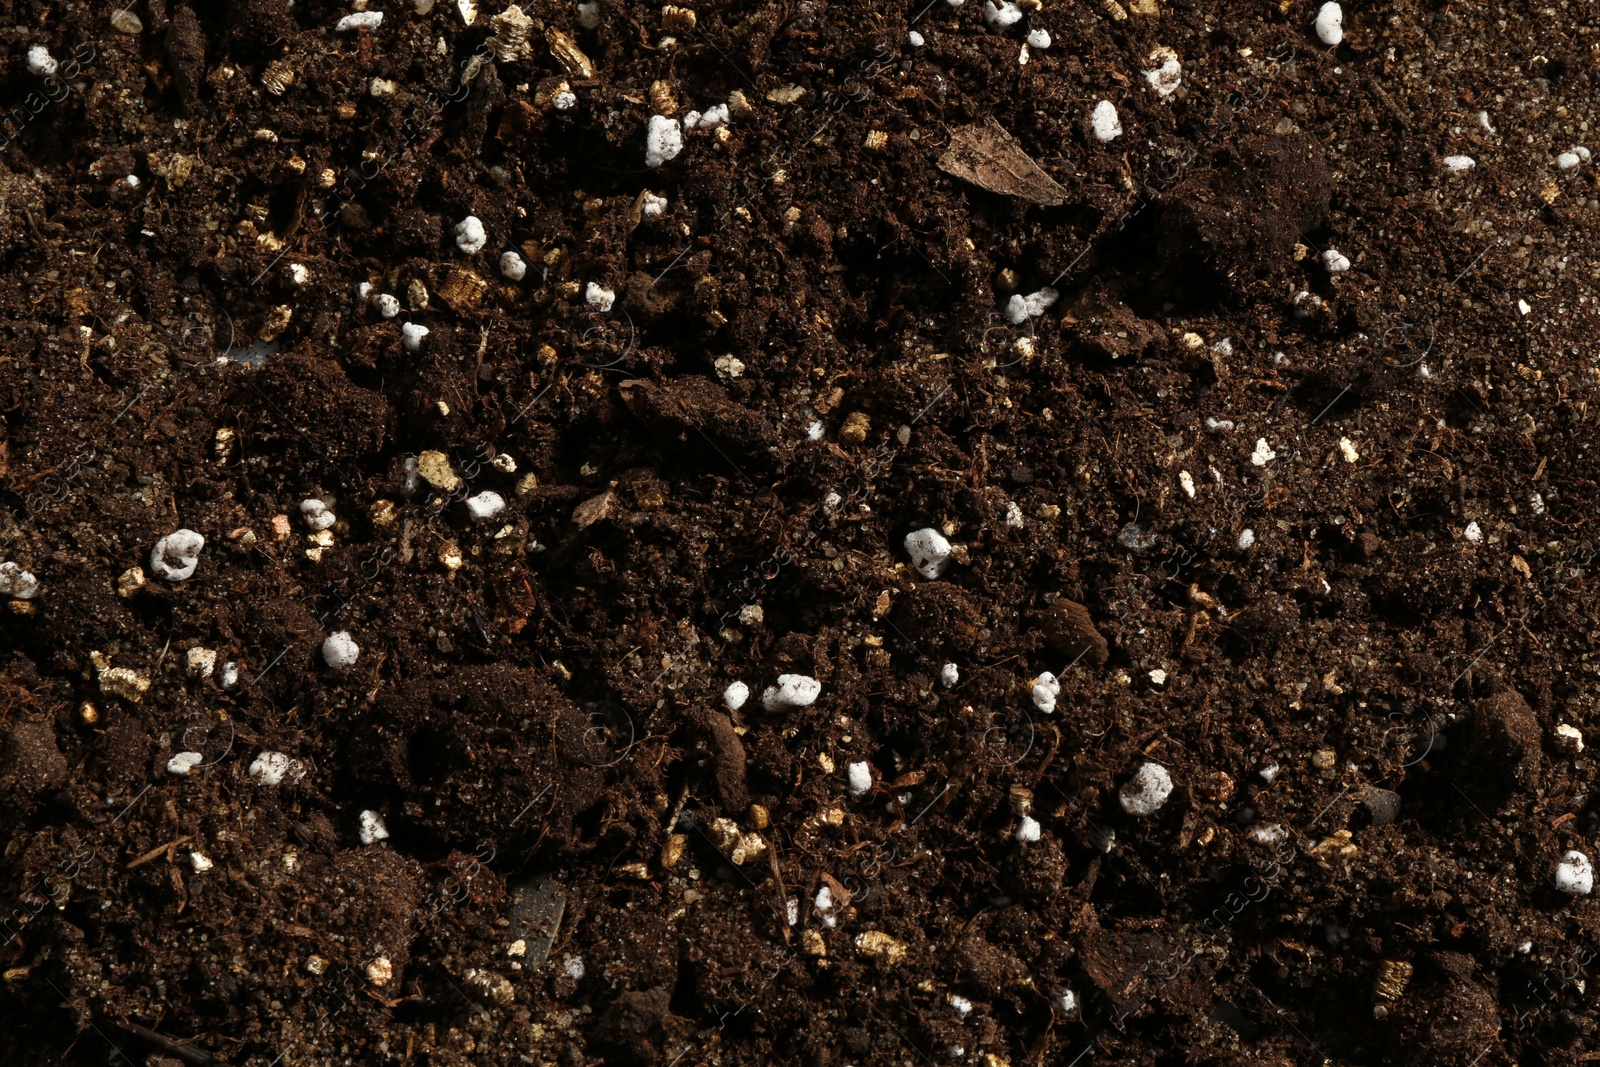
1234 228
